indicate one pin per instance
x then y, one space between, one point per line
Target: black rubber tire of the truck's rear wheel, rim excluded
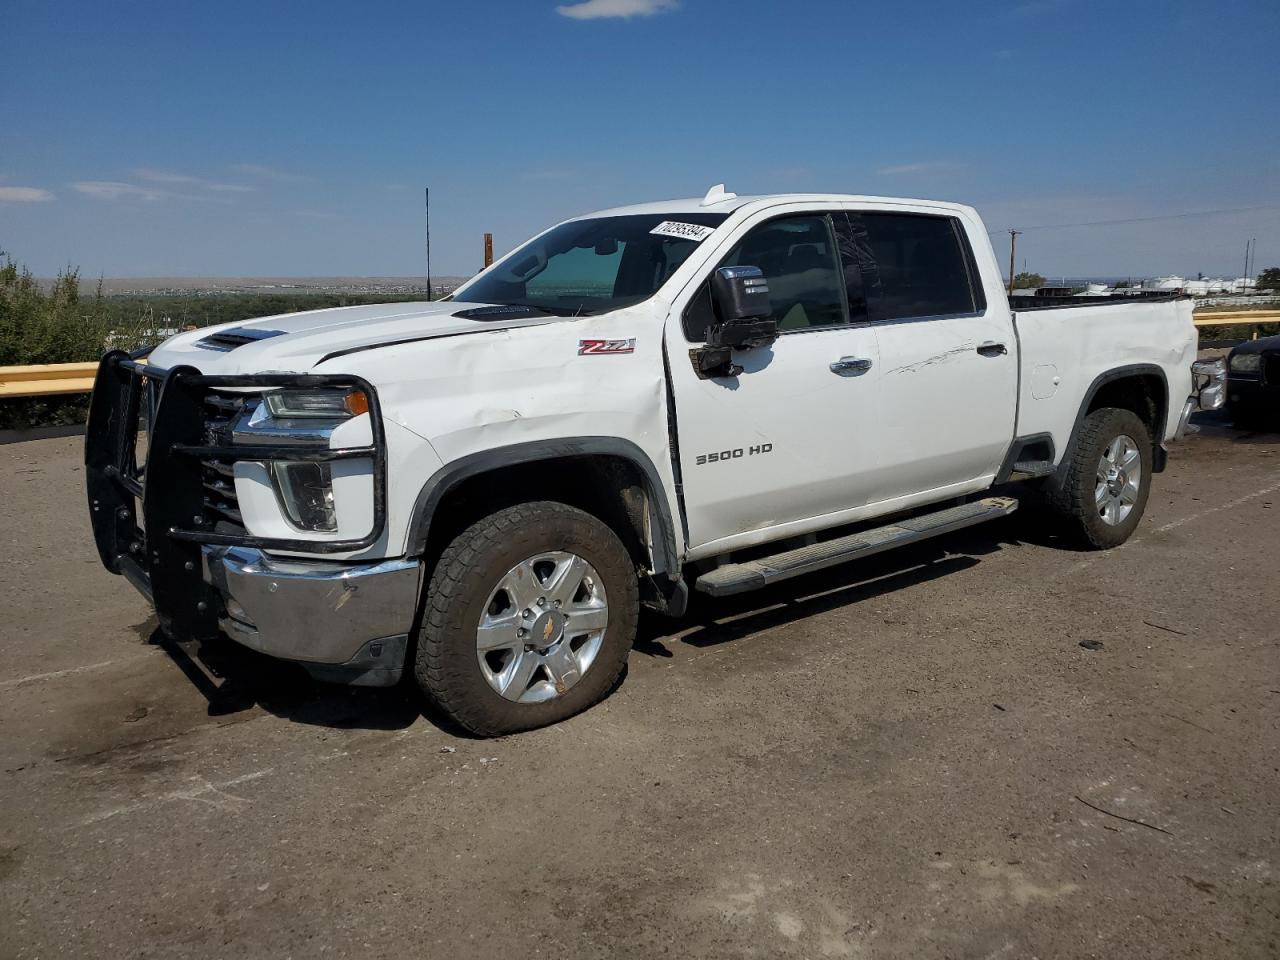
1075 499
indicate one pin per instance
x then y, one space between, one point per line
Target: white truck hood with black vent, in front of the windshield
299 342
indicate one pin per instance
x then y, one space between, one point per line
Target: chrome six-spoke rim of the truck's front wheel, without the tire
542 628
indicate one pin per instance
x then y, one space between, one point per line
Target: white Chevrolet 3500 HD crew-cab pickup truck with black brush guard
715 394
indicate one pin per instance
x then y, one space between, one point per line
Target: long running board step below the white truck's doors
740 578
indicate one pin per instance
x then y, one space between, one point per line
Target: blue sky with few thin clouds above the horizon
264 139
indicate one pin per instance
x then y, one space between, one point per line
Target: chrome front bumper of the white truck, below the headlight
345 623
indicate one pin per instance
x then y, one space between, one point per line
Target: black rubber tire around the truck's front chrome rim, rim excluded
473 565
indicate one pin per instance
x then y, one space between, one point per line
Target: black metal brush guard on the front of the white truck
150 519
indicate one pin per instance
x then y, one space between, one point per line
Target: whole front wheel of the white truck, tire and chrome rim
529 619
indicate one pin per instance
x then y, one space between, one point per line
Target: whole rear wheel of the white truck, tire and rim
1108 479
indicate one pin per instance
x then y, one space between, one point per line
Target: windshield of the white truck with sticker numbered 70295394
596 266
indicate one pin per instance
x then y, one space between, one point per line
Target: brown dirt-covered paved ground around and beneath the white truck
909 757
